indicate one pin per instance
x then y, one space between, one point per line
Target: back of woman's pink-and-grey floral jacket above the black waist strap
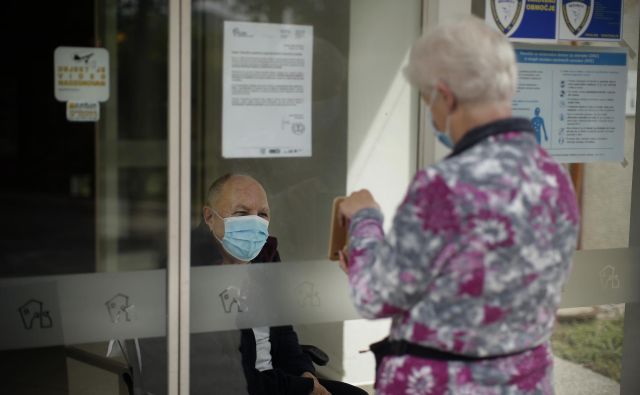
497 282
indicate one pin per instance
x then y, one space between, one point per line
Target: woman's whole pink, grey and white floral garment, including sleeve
473 264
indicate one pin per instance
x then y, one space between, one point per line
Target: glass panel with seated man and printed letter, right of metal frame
306 134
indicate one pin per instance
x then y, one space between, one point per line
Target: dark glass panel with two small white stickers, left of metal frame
84 197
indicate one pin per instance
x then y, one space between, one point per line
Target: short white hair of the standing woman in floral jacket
476 62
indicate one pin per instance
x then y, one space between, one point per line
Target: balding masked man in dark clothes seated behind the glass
235 231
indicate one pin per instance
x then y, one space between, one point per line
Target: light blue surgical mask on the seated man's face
244 236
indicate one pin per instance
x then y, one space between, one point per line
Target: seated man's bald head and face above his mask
240 195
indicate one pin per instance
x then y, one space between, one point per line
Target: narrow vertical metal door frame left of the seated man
179 154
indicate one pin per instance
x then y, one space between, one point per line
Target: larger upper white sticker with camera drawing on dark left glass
81 74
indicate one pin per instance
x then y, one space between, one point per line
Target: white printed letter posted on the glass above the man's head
266 90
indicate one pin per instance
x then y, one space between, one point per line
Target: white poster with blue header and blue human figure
575 99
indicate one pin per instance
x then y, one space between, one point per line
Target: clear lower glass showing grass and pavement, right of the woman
587 345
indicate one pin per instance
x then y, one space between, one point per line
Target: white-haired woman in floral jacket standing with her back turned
472 269
